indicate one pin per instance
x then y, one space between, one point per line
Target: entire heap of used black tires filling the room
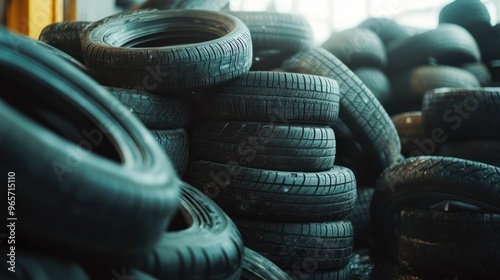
293 150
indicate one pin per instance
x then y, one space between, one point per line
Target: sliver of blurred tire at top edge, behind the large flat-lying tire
213 5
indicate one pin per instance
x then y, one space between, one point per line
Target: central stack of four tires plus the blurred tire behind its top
264 150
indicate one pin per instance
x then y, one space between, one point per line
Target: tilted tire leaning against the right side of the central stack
360 110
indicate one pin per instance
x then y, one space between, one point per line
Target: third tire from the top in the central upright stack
276 195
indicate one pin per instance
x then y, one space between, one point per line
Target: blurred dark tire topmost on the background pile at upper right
470 14
